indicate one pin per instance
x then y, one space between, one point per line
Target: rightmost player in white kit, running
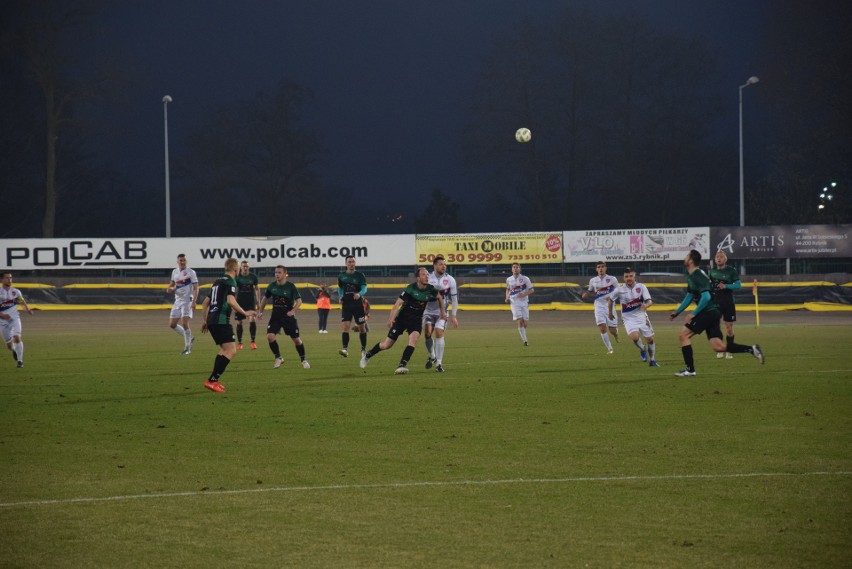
635 300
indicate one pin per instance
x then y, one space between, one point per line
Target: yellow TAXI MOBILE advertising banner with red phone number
491 248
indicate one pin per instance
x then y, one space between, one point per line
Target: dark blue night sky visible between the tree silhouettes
390 78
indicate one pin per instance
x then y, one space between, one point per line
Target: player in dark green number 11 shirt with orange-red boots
217 315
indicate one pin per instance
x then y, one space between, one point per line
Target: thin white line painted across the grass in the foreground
392 485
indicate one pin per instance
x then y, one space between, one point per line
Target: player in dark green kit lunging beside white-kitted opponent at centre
407 316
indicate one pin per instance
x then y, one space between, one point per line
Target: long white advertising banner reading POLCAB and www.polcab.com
204 252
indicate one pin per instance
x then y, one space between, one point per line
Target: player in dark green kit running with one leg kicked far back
705 317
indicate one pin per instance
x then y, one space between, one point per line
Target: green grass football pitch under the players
556 455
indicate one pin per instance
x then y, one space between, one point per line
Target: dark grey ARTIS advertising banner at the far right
783 241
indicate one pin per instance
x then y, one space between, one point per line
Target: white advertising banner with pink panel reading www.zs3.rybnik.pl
625 245
